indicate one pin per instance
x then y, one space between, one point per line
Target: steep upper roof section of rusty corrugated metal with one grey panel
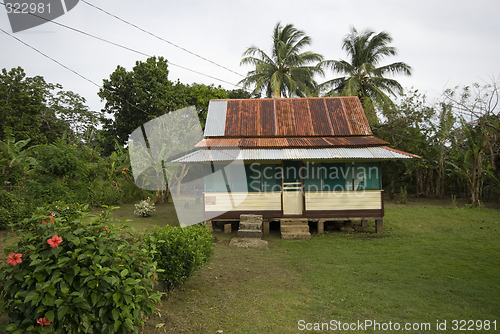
287 117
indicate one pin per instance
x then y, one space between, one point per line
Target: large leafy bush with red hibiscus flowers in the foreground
77 276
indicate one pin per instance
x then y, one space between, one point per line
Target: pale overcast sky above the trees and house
447 43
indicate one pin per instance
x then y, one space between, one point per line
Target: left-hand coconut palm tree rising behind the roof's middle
288 71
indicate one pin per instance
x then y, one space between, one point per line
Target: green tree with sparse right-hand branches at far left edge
31 108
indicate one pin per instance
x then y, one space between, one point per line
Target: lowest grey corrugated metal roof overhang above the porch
332 153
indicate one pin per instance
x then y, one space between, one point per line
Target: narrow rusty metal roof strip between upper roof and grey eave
292 142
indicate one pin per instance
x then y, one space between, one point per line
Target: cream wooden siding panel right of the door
343 200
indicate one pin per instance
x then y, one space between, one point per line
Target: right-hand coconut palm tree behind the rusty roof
363 75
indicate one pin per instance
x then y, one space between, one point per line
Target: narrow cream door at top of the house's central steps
292 190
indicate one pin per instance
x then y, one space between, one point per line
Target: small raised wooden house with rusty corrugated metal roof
307 161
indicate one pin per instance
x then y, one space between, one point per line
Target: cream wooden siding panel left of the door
242 201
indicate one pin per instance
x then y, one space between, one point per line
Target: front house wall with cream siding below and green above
346 189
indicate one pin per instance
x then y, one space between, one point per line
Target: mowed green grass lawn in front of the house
433 263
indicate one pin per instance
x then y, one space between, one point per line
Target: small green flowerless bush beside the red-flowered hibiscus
180 251
